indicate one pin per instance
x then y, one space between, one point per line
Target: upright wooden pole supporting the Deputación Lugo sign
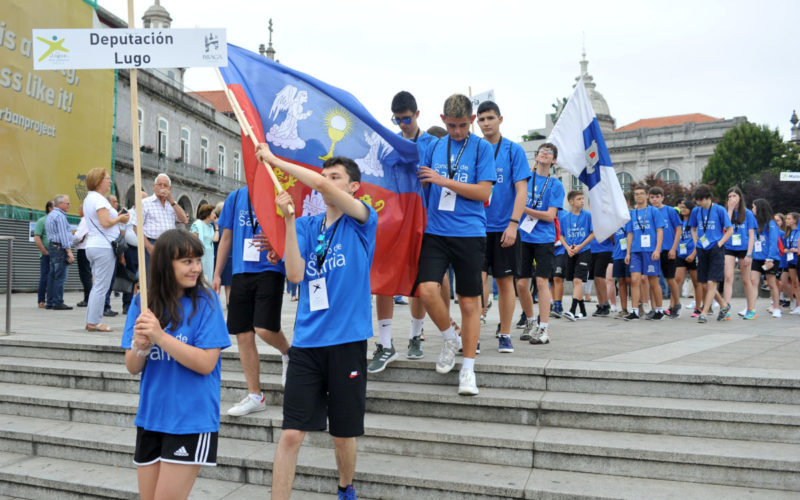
137 175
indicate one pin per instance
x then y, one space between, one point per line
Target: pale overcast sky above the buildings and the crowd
648 59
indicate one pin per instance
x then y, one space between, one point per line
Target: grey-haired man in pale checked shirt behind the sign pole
159 213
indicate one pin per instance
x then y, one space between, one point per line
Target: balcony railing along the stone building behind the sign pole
182 171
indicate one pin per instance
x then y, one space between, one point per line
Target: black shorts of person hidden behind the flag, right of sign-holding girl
255 302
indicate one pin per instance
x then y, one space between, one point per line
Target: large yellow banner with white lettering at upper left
54 125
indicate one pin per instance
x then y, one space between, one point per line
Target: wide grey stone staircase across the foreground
539 429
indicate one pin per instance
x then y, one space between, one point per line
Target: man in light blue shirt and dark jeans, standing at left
60 243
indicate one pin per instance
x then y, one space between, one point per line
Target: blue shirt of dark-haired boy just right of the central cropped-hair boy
511 166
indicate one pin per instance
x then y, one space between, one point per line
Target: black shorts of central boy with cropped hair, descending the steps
464 253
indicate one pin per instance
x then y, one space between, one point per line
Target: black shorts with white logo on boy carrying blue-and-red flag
327 382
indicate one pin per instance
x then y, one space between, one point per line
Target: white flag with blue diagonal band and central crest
582 151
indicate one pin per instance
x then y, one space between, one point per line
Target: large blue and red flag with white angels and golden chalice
306 121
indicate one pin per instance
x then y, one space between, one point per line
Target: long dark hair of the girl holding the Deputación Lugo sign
163 290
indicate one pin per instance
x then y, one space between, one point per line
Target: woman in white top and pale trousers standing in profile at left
102 220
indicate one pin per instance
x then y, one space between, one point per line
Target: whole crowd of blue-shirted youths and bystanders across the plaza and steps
490 214
